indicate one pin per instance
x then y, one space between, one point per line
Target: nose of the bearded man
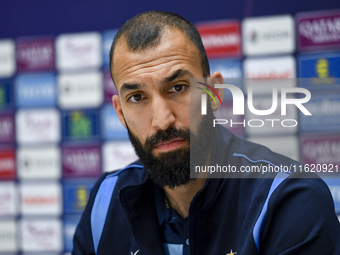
162 114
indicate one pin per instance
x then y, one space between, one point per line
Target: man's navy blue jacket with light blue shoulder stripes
282 215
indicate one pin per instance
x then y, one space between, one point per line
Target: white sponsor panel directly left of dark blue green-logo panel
38 126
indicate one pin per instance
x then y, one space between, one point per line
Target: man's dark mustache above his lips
166 135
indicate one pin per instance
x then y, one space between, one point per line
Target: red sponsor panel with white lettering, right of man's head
221 39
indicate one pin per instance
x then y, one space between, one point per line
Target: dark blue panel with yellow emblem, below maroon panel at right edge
321 69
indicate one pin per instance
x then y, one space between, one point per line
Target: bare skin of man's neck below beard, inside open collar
181 197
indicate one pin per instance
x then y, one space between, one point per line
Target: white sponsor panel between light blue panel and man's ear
83 90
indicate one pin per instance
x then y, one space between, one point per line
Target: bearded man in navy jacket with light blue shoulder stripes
152 206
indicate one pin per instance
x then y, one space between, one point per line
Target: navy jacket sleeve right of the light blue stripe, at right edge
305 209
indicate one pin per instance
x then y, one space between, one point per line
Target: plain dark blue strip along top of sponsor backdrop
52 17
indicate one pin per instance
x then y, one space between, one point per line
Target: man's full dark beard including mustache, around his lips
172 169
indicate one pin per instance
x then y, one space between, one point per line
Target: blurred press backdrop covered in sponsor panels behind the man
59 131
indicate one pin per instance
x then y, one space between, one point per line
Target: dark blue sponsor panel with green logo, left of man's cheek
81 125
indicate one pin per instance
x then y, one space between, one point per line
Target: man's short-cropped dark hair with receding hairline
146 29
